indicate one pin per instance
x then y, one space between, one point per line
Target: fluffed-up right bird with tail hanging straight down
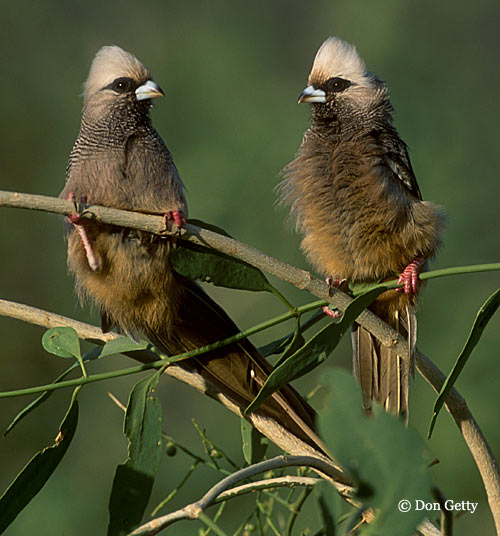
353 195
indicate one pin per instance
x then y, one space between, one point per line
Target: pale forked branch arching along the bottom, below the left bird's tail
220 491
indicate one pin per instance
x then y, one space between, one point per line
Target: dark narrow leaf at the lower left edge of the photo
38 470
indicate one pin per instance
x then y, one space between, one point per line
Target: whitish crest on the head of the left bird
113 62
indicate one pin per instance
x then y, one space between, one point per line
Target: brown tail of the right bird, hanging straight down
382 374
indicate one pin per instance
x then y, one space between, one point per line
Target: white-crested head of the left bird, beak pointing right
119 81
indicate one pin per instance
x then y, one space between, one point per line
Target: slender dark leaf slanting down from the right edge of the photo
484 315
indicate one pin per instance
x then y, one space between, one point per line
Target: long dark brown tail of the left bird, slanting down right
238 370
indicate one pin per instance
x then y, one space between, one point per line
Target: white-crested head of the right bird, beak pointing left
339 84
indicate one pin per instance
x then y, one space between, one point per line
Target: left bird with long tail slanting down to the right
120 161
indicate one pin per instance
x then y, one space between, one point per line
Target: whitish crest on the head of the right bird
336 58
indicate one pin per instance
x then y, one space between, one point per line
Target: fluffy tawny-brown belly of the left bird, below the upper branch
134 284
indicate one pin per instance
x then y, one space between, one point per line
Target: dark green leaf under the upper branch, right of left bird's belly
211 266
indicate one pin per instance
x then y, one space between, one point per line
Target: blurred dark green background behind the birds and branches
232 71
